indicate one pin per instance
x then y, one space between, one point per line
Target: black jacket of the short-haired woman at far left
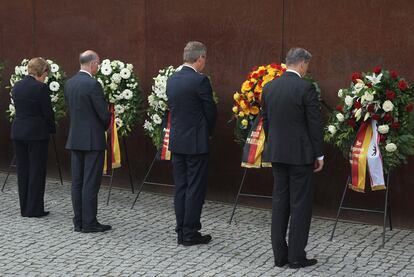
35 119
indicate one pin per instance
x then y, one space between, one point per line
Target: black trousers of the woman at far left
31 158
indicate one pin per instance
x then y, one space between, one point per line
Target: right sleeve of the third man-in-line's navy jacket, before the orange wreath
209 107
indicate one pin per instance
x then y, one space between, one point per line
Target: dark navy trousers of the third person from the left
190 178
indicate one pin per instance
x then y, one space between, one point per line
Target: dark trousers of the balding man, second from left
87 169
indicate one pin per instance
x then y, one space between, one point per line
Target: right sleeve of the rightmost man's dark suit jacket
314 120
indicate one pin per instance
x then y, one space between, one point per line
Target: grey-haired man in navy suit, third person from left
193 116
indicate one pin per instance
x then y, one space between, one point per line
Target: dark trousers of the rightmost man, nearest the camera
292 198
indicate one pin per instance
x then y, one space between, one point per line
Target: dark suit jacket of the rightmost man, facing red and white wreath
292 120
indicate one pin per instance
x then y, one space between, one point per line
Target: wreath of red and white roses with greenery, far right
381 95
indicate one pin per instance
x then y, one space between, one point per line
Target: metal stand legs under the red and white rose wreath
386 212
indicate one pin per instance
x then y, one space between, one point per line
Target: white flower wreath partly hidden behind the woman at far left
55 80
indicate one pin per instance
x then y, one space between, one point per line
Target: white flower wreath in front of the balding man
121 89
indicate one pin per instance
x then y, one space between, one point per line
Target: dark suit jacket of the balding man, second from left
89 115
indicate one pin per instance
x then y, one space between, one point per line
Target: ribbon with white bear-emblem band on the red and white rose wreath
365 150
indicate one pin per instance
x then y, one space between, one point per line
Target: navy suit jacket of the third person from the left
193 111
